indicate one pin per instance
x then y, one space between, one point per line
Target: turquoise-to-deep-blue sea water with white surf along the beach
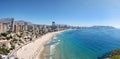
84 44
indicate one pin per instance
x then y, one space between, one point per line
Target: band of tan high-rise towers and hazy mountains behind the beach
11 26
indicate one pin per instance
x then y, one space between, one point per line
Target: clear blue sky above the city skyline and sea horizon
71 12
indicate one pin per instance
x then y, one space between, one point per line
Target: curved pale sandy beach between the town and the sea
35 50
